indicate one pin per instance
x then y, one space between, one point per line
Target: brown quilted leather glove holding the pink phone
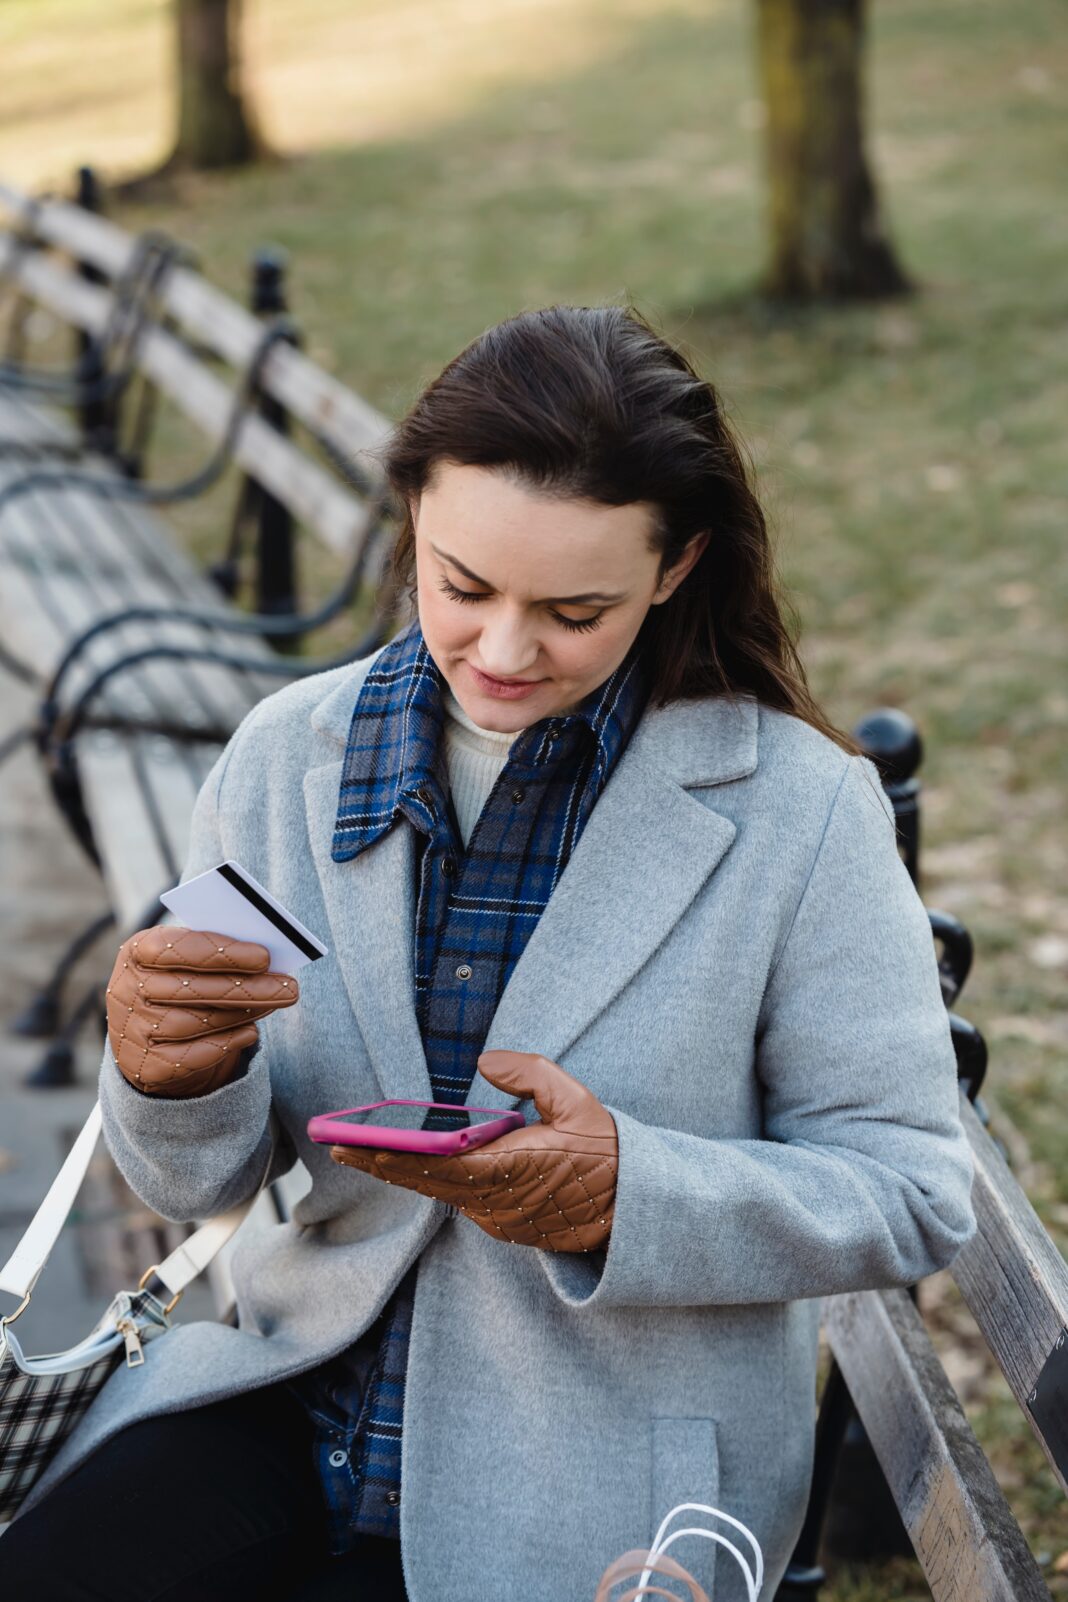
550 1185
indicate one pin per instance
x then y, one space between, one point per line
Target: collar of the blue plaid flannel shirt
395 738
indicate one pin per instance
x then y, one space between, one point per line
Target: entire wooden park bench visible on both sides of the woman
135 712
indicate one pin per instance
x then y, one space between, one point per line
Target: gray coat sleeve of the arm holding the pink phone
864 1175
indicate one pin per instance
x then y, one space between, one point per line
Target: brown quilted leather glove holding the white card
183 1005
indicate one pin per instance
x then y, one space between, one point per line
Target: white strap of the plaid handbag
23 1268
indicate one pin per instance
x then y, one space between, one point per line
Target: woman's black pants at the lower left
212 1505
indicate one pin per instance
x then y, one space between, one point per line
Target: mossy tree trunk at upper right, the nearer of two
827 235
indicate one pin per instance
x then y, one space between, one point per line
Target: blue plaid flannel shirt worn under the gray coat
476 911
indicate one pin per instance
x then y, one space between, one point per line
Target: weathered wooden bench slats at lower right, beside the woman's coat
1016 1286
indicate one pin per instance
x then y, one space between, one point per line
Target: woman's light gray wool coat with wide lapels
739 967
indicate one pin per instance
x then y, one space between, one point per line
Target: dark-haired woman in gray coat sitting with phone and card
579 834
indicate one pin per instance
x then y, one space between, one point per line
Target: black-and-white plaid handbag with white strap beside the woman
44 1398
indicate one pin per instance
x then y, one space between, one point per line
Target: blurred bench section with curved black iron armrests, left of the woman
142 662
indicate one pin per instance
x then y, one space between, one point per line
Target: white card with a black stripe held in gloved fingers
230 901
